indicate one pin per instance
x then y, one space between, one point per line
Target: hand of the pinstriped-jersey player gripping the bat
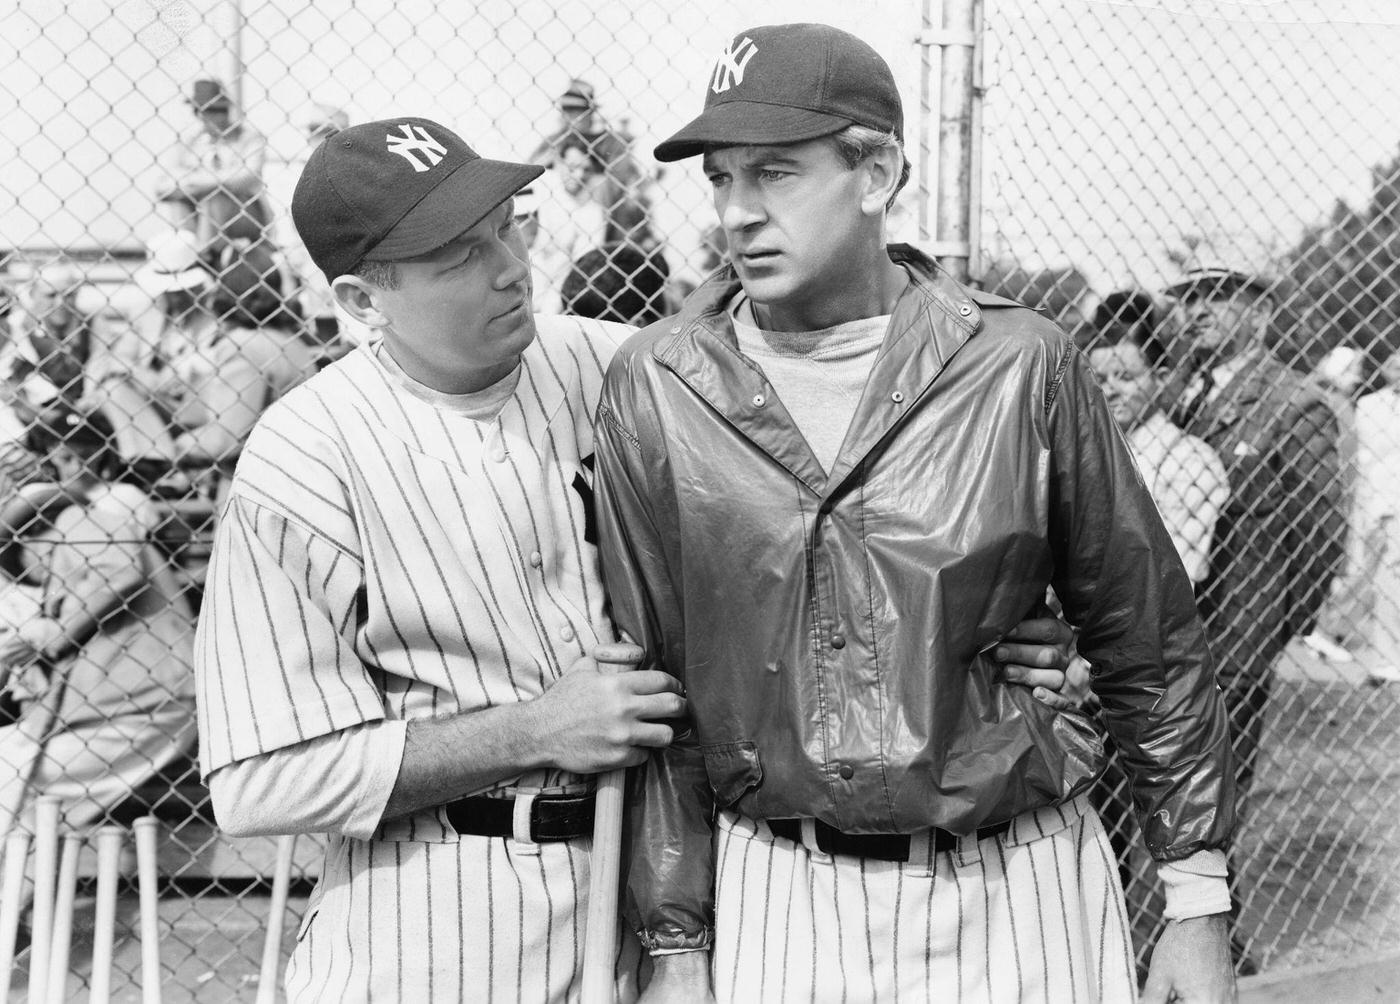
594 722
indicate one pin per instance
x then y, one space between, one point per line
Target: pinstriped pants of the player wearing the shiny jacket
1035 915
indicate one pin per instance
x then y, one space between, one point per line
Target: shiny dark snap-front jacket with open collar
834 631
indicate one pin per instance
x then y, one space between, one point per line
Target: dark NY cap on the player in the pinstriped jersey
395 190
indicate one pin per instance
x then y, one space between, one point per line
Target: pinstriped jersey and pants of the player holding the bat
386 557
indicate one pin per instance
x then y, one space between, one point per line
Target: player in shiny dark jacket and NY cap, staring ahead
827 487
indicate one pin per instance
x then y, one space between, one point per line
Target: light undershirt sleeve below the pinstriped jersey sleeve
338 783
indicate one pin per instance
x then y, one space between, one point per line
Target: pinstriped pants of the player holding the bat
486 919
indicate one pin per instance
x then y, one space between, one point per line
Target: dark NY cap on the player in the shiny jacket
790 83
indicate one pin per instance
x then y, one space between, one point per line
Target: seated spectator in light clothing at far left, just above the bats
104 662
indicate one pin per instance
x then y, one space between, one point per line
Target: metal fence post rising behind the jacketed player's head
958 40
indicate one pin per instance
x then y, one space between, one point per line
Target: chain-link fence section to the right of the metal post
1128 145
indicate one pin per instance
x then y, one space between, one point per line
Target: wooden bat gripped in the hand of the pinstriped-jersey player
605 862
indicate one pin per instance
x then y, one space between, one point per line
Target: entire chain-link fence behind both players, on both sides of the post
157 302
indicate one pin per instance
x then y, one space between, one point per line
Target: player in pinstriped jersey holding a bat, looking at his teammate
404 597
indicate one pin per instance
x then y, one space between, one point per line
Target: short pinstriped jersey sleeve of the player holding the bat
275 657
